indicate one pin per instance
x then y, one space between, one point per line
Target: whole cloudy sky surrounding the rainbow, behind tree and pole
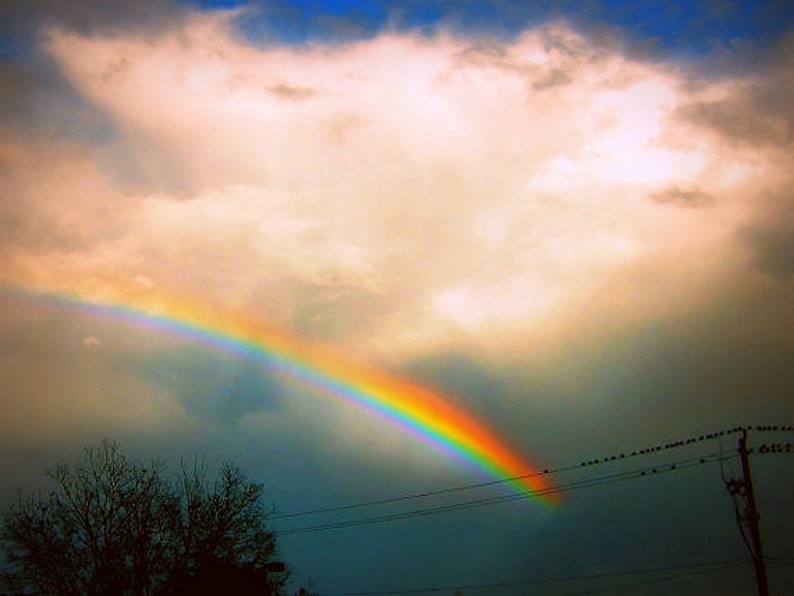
572 220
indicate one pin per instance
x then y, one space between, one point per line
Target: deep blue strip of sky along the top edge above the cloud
676 25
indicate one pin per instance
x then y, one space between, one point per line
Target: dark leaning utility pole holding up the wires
747 515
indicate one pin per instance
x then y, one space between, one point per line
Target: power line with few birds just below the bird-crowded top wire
494 500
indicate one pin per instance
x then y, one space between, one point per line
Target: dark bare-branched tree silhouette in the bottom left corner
117 526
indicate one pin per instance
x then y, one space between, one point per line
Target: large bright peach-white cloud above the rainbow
455 187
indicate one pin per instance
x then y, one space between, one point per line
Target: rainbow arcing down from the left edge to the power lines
414 408
